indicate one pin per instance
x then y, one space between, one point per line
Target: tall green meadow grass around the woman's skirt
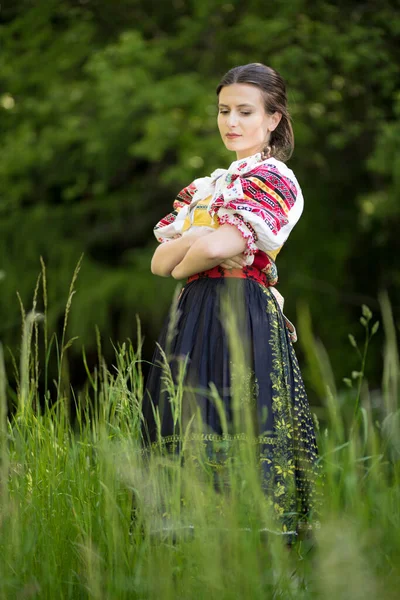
66 528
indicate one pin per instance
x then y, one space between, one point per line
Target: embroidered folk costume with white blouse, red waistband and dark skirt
263 200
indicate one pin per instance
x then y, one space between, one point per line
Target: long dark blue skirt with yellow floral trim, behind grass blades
224 372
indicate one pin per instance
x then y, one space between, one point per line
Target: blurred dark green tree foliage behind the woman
107 109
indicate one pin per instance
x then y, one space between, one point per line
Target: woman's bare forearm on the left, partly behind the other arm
169 254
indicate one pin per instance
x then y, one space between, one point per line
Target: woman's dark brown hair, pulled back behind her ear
273 88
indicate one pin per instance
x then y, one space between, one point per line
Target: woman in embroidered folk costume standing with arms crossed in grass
223 238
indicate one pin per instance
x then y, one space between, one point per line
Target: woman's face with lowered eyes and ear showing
244 125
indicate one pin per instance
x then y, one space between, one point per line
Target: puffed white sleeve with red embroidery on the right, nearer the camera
264 205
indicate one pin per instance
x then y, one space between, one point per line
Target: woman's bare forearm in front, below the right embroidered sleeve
208 252
